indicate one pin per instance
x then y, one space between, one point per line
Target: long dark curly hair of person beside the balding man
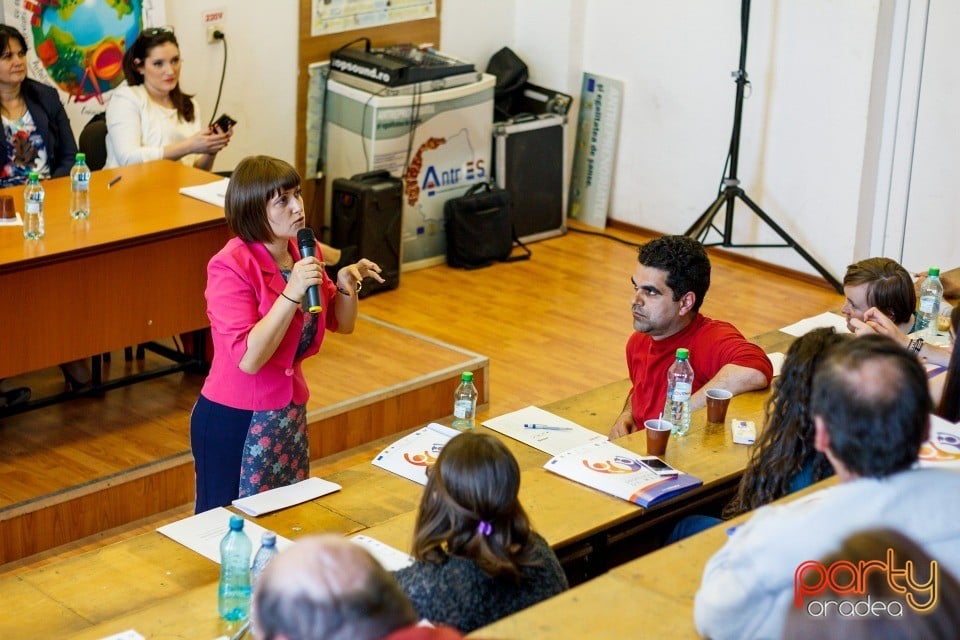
786 445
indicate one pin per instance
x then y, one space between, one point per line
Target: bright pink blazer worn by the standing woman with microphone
243 282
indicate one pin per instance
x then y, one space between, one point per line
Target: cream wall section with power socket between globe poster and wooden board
260 88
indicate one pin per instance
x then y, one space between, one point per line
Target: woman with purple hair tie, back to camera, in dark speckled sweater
477 558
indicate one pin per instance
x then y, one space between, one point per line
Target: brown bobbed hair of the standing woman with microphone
253 183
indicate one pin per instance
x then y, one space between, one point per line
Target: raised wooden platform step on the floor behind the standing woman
76 469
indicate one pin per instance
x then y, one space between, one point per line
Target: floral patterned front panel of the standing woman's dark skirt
276 452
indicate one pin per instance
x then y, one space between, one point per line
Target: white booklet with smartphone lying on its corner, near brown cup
619 472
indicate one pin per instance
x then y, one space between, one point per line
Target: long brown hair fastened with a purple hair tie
470 508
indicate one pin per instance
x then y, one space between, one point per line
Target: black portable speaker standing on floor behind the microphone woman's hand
366 222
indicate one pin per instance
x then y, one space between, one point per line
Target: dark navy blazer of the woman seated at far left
52 125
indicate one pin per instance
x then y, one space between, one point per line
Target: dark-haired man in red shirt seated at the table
670 282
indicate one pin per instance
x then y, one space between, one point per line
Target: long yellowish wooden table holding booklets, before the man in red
162 589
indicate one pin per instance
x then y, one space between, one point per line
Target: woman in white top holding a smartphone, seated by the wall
150 118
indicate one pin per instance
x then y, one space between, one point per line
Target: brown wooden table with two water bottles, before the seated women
133 272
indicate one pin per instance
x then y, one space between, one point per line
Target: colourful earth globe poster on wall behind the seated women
77 45
